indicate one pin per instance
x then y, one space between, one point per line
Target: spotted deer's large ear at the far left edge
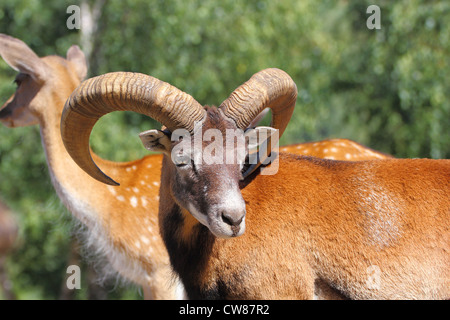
21 58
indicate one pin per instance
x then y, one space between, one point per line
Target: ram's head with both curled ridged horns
206 148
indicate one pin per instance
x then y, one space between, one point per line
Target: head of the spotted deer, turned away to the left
36 80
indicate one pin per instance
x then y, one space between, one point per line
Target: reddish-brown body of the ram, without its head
321 226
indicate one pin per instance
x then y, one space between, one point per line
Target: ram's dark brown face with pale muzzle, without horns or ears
210 191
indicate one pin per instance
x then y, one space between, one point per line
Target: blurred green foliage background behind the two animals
388 89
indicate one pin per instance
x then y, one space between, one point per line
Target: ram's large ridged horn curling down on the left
122 91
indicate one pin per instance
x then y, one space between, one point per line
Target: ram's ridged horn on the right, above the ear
270 88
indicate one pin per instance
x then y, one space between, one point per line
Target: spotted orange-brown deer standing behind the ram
121 216
